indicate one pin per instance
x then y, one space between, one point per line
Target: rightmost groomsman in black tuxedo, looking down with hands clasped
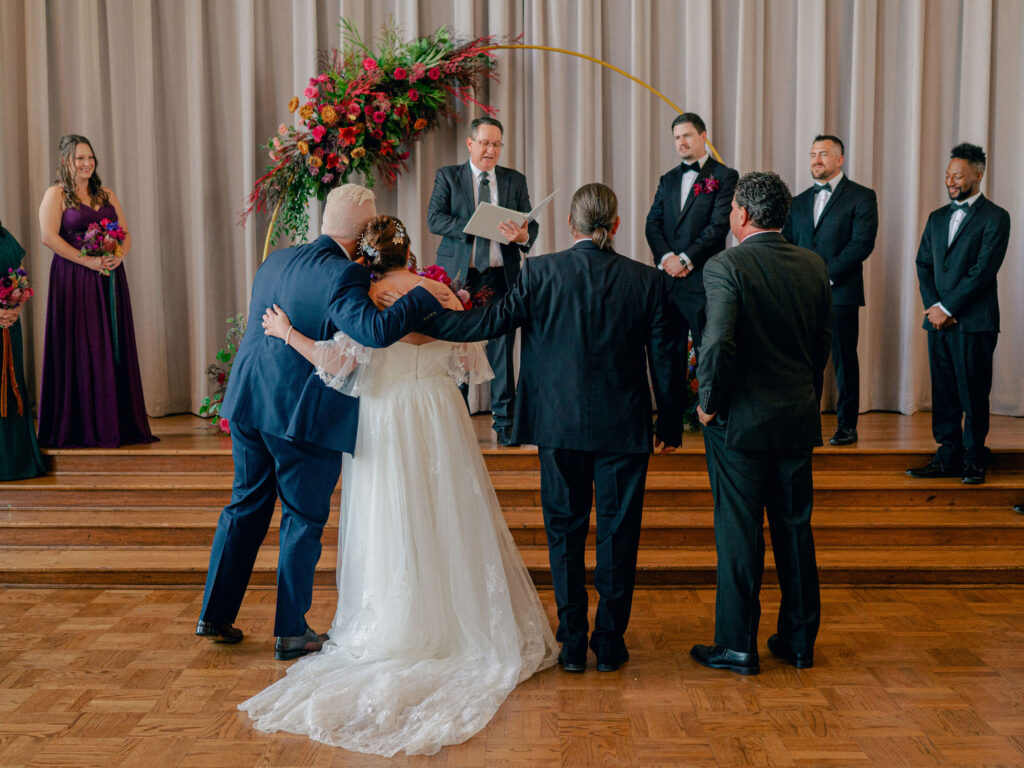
961 252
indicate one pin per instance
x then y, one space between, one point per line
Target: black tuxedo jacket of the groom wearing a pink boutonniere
698 228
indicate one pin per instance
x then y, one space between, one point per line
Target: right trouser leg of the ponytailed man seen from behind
619 490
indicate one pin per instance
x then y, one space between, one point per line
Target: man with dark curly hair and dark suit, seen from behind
762 362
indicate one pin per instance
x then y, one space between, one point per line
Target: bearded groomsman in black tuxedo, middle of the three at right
838 220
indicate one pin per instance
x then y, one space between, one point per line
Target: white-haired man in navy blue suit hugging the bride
289 430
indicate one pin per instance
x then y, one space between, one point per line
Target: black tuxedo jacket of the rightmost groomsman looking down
962 276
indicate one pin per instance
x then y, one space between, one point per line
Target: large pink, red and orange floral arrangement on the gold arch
364 113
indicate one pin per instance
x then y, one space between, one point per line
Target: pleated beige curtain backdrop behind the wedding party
177 95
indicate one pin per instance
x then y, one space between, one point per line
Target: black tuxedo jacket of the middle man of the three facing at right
844 236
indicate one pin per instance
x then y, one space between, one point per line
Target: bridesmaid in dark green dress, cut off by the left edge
20 457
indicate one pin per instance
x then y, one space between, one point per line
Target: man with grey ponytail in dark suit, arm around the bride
592 320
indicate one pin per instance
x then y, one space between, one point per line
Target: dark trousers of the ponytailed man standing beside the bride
570 480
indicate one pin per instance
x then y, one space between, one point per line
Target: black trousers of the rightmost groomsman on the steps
962 379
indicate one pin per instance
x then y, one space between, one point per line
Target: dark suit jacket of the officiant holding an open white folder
452 205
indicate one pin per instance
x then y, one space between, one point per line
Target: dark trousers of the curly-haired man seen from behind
746 485
